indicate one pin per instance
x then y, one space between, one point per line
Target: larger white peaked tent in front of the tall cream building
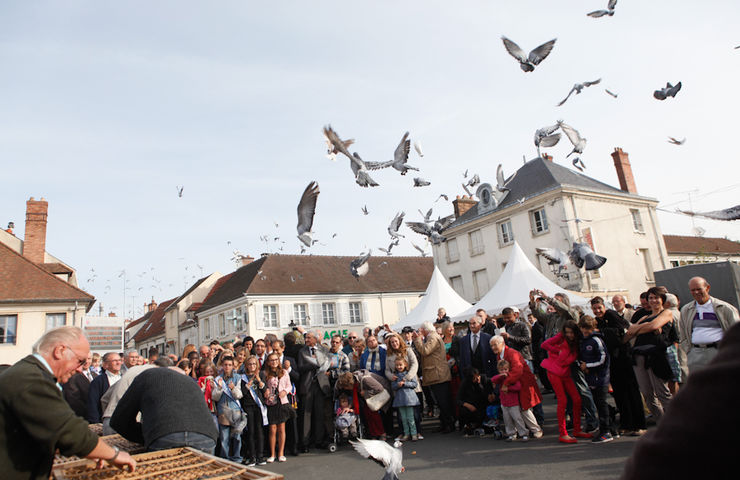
513 286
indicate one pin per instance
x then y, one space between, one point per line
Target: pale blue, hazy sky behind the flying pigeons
107 107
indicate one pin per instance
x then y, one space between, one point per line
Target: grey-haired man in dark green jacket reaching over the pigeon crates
35 420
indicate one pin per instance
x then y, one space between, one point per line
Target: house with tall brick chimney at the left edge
37 290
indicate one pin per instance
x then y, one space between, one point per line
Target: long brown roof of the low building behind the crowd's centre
316 274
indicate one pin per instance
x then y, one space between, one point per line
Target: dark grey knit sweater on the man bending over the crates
169 402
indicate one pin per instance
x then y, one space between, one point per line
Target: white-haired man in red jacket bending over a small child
529 394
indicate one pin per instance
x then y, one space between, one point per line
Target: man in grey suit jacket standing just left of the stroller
313 389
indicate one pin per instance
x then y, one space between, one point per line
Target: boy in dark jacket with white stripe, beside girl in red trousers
594 361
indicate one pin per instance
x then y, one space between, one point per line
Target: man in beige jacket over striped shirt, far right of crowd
703 324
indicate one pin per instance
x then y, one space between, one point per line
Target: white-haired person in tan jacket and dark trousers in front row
436 373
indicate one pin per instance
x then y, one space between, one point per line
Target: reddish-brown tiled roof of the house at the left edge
22 281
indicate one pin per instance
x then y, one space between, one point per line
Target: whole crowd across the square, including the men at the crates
256 400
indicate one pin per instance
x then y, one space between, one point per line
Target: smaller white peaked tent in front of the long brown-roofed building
439 293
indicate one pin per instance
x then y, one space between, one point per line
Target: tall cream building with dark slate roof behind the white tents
550 206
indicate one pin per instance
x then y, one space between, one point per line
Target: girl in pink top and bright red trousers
562 351
